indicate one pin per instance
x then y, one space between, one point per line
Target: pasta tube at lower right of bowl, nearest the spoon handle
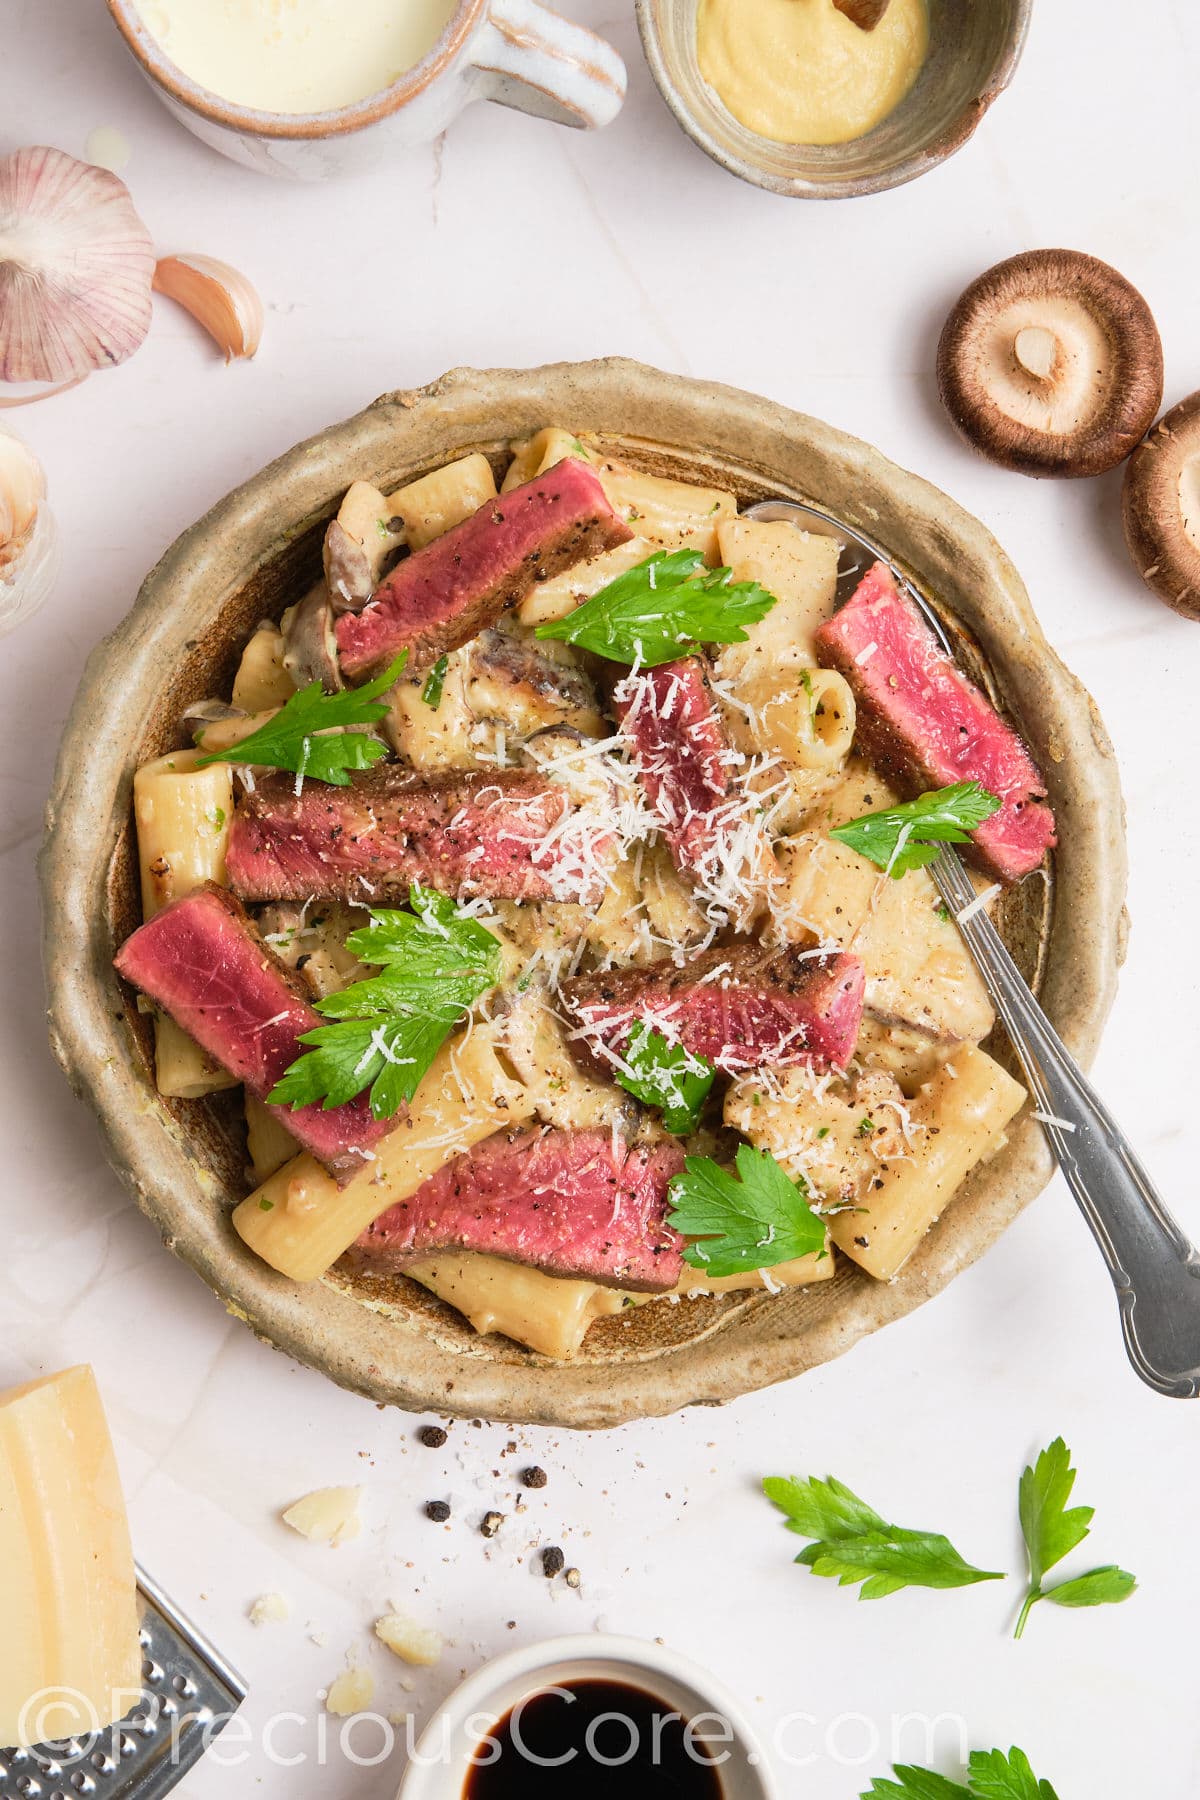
963 1110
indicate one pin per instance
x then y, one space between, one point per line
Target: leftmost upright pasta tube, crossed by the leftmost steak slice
183 829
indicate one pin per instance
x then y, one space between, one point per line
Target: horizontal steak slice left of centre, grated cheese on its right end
514 834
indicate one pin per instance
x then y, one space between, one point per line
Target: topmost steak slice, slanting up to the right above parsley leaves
447 593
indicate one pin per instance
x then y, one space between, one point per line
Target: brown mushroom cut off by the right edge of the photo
1161 508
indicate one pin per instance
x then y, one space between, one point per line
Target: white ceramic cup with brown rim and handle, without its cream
517 53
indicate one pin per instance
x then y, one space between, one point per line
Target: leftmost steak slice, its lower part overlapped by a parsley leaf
204 962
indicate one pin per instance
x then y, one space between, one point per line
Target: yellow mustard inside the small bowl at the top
801 73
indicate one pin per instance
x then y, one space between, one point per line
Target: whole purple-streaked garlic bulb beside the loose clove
76 267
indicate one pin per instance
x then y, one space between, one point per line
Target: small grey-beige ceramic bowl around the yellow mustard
974 53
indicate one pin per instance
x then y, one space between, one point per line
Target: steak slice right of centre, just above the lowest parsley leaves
739 1007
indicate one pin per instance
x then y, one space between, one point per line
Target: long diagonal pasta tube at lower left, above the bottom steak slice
300 1221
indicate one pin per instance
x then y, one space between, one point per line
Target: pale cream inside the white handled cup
296 57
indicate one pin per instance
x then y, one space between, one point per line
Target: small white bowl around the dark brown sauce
442 1761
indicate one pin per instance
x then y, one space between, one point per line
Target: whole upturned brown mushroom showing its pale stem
1052 364
